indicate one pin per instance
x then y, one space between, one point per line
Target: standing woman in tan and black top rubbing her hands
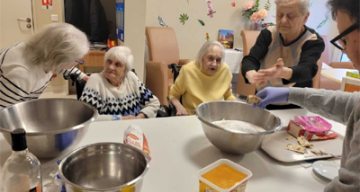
284 55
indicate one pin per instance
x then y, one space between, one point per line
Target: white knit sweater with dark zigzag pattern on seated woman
130 98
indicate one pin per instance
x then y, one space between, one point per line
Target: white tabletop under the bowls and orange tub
180 149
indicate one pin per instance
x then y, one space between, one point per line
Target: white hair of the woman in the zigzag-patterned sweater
122 54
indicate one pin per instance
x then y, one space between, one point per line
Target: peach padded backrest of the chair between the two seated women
162 44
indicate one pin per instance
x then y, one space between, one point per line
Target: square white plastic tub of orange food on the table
223 176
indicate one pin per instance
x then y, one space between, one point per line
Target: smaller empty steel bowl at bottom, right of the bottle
110 167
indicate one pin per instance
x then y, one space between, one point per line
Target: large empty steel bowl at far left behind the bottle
52 125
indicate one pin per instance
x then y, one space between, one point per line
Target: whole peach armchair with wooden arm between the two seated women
163 52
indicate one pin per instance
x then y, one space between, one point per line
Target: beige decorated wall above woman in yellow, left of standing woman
192 35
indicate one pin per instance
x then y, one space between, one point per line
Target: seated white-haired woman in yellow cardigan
205 79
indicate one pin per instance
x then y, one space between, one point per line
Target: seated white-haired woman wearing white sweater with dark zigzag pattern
117 91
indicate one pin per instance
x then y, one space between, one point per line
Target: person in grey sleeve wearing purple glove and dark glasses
337 105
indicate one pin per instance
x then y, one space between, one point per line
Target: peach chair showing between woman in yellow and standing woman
248 38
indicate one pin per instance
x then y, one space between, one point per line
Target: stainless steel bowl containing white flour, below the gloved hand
232 141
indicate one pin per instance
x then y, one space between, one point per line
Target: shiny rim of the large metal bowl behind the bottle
67 129
